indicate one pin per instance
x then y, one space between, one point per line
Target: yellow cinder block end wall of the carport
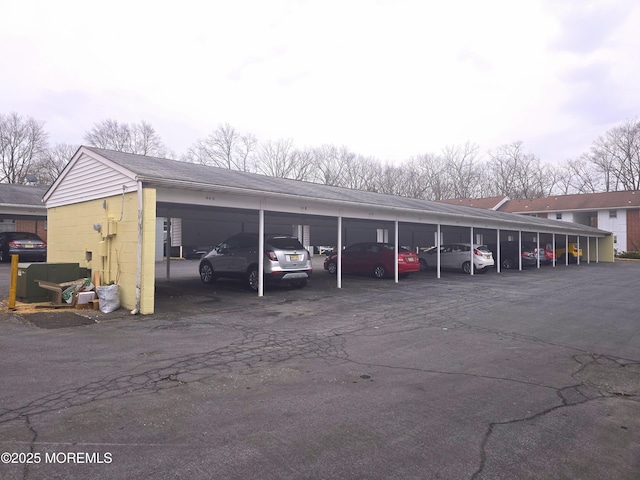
71 236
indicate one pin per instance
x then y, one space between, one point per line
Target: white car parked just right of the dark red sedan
457 256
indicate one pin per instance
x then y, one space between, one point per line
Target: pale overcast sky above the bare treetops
388 79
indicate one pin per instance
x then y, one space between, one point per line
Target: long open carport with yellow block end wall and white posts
103 207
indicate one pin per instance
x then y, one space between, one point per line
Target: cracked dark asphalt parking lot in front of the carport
518 375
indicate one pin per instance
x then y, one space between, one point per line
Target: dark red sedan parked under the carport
373 258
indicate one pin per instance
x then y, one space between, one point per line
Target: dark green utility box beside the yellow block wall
28 291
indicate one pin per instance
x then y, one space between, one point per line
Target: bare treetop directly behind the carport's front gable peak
140 138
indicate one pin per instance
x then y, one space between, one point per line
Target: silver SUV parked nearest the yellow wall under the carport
285 260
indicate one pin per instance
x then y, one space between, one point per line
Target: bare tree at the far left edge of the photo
22 141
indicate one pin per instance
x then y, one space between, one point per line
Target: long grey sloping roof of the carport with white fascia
294 196
